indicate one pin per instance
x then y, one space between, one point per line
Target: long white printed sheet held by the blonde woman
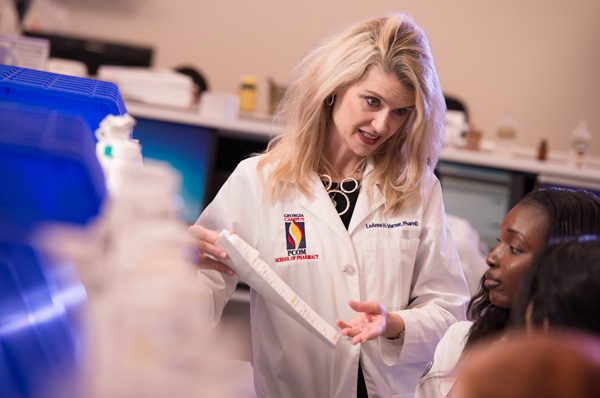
245 261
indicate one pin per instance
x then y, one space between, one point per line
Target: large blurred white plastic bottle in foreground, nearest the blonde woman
151 318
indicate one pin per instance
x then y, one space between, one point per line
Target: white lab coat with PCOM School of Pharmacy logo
407 262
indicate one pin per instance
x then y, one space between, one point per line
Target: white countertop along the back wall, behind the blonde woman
555 169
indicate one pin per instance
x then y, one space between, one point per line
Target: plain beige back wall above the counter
537 59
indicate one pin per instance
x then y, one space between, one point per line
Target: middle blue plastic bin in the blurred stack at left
48 167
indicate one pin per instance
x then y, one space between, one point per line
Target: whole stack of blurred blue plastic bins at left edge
48 173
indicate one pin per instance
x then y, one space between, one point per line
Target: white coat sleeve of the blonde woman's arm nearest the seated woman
439 293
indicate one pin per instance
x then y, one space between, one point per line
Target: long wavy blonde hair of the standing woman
398 46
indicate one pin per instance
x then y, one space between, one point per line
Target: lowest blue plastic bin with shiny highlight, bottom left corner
41 321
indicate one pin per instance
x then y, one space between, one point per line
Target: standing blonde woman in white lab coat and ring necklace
346 209
